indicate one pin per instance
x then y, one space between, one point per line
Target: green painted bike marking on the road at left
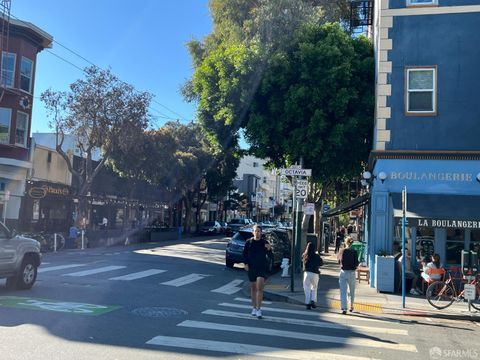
55 305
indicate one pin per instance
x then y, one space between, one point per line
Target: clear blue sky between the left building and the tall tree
143 42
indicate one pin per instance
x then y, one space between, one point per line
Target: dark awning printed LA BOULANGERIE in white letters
436 210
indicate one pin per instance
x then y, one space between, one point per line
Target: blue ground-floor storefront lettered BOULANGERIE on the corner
442 210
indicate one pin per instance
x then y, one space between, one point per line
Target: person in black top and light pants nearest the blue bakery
349 263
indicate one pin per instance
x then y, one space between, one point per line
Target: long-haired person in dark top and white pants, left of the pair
311 273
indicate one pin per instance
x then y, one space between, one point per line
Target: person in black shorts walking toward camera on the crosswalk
255 256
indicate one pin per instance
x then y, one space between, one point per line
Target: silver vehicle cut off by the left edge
19 260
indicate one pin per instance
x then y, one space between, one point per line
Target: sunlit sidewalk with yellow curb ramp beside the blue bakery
367 299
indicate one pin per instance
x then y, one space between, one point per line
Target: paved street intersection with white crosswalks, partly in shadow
156 302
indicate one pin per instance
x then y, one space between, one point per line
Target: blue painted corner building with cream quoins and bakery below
427 128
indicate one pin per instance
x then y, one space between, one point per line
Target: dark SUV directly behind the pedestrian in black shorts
278 238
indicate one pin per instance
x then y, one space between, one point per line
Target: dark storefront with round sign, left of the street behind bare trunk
47 207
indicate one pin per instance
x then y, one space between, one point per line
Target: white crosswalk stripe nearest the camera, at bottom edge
245 349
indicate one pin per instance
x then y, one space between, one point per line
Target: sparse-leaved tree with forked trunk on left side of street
101 113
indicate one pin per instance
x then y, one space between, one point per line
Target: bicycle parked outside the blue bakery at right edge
442 293
